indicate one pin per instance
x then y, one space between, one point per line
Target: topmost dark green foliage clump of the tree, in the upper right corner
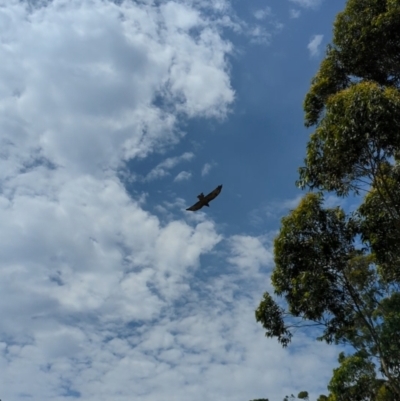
366 46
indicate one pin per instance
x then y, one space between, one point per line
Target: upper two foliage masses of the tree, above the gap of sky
354 99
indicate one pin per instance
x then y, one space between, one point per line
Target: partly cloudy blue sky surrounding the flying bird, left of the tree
114 116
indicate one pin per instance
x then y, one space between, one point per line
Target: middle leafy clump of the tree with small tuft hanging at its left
312 255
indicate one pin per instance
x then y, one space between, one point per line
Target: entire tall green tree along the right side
338 270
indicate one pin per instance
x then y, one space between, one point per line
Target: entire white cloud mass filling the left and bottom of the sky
99 298
